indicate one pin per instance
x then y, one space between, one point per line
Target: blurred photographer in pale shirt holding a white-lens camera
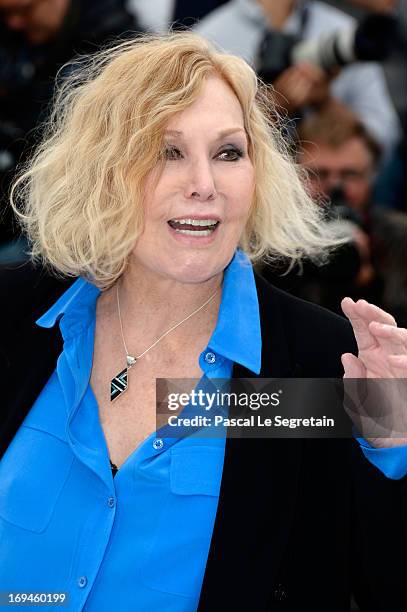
241 27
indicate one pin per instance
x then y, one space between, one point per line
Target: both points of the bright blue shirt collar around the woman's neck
237 335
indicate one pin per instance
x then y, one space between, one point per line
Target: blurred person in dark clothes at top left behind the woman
37 37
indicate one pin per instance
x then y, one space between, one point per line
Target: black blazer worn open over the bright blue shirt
301 524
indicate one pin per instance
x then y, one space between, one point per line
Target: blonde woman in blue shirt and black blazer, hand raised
159 163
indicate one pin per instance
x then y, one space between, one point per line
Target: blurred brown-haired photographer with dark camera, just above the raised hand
340 158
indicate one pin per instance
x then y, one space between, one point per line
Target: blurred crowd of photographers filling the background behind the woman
339 75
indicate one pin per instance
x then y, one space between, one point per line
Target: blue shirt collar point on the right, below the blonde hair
237 334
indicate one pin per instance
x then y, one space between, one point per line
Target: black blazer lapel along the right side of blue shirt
258 492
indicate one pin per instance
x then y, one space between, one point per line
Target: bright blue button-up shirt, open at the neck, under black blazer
139 541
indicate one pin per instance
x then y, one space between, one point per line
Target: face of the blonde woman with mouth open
197 208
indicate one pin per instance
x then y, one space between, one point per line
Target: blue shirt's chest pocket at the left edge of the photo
33 473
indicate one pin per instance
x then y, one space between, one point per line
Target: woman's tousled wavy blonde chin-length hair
79 198
